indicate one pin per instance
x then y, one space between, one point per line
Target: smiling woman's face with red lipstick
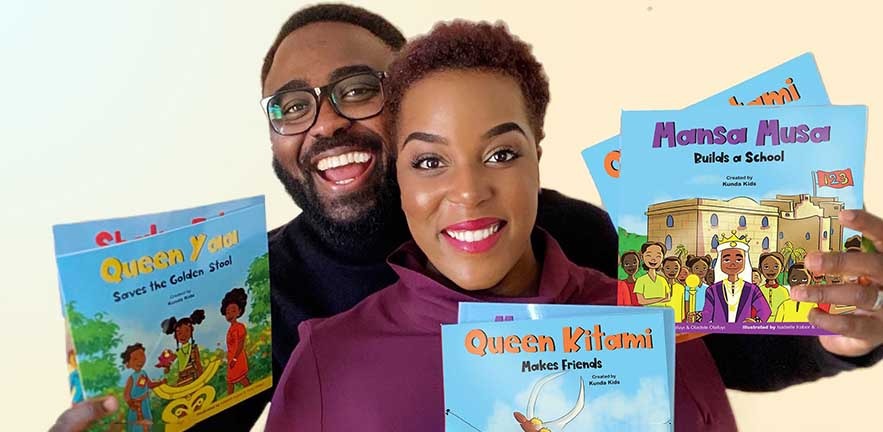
468 170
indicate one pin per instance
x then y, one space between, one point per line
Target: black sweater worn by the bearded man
311 278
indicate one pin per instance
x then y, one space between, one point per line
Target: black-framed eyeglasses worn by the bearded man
355 97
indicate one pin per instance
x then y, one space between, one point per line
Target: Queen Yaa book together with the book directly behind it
168 312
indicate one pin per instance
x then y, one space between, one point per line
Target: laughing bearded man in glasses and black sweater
334 163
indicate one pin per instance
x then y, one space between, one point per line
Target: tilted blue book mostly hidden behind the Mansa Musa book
795 82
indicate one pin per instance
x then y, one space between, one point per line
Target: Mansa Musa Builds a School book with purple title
718 209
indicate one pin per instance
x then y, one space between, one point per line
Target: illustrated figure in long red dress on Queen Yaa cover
232 307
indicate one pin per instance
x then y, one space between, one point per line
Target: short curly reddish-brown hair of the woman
463 45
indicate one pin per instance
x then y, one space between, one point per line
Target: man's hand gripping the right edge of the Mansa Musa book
862 331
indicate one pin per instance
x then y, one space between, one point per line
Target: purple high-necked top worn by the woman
378 366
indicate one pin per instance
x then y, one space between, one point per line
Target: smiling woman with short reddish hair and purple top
465 113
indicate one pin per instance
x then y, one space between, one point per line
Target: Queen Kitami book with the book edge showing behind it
558 368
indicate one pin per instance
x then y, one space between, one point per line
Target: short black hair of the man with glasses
376 24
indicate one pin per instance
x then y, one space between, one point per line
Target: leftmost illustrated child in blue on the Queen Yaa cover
137 390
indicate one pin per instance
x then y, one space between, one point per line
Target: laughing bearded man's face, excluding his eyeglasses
338 168
